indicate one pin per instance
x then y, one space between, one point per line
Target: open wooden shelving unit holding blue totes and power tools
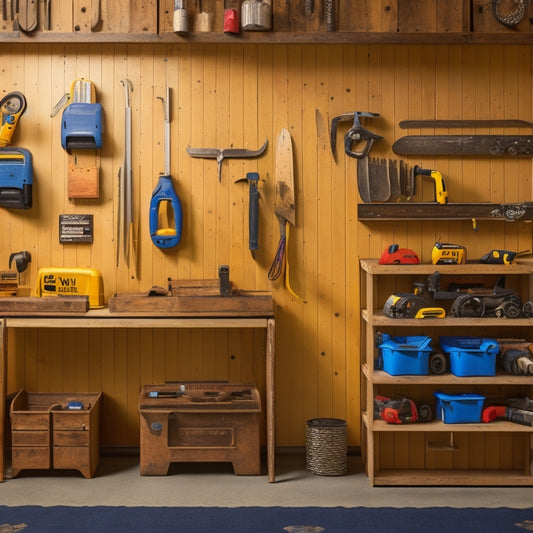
435 453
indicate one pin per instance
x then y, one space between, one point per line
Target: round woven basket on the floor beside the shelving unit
325 446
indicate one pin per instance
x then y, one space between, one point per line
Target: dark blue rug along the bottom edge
34 519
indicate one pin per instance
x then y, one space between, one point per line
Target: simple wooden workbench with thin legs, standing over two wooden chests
102 318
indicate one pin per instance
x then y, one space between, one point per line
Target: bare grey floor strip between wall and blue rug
117 482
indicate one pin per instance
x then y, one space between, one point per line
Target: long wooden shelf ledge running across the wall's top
441 38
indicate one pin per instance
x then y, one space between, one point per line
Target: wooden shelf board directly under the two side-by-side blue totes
380 377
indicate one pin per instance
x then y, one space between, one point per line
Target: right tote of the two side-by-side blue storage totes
471 356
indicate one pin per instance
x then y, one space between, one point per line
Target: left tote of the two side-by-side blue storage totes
405 355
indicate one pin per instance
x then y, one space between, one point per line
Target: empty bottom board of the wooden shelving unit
406 477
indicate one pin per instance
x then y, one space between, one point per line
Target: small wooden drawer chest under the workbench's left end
55 430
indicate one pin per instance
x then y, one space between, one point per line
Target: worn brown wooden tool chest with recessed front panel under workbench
200 422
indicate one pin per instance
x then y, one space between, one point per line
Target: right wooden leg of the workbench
270 398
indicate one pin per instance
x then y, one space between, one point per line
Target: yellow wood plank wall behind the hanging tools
240 95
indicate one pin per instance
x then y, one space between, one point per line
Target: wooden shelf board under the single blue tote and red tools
498 426
